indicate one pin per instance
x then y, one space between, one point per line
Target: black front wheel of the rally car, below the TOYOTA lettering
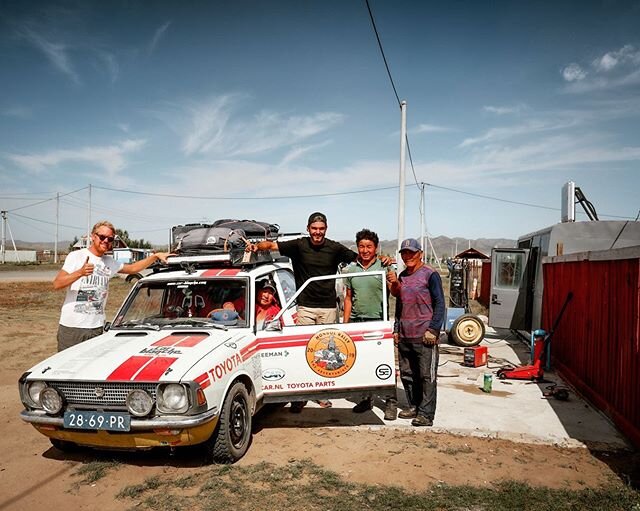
232 436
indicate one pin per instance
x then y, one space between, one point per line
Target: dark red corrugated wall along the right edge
596 345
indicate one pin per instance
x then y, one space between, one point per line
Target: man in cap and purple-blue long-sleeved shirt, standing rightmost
420 310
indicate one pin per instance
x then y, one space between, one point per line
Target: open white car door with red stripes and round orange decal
301 362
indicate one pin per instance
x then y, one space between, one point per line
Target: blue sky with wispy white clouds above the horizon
153 114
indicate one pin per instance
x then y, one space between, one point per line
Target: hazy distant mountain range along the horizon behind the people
442 245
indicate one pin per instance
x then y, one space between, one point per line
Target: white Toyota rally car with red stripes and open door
177 368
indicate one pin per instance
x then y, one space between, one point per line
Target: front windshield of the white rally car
214 303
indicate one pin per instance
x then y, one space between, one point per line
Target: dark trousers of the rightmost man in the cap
418 373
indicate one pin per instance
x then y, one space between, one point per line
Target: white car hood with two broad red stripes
126 355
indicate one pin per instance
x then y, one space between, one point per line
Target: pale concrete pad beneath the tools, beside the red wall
515 410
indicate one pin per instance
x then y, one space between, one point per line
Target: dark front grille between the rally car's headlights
100 394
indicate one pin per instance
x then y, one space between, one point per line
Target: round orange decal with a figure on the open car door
331 353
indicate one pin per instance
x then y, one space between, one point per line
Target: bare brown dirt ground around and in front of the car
34 475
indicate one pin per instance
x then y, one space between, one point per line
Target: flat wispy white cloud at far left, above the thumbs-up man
111 159
